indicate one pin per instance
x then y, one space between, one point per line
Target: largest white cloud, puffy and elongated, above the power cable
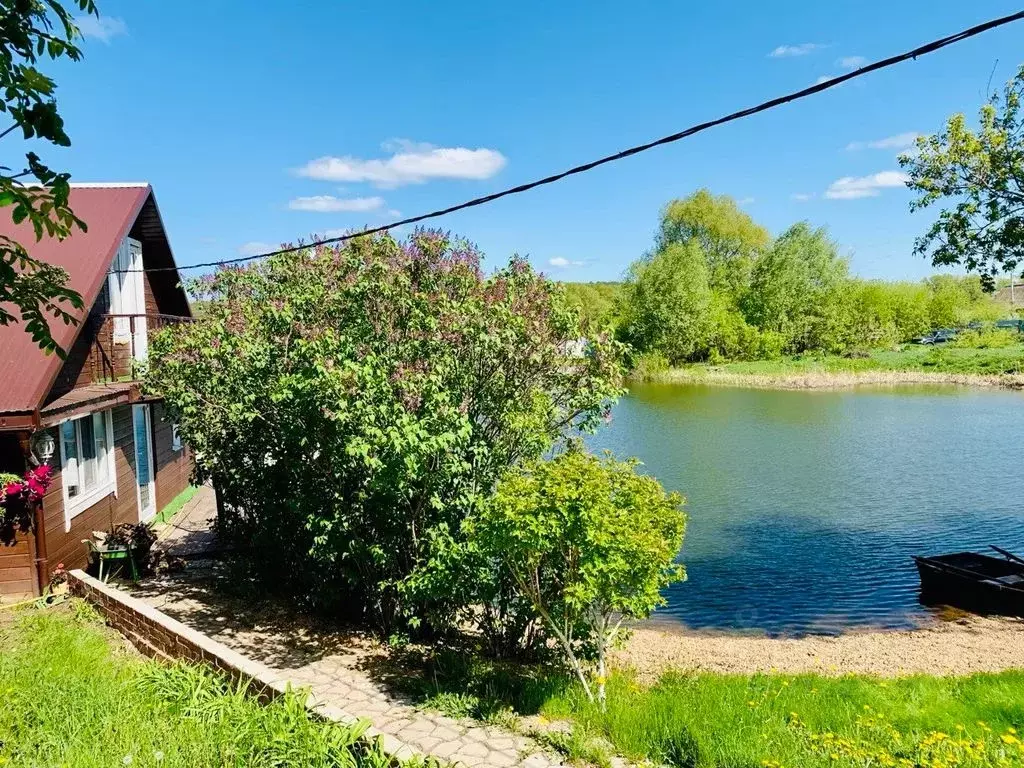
410 164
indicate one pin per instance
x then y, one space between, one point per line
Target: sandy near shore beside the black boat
958 648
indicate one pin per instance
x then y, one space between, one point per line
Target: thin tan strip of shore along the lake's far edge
835 380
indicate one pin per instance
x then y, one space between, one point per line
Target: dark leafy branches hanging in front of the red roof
31 30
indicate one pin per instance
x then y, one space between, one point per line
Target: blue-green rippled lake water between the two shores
806 506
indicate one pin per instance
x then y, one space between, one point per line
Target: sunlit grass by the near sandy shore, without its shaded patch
741 721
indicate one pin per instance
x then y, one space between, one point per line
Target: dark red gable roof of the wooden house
111 212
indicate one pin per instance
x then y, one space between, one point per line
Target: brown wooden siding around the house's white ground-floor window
66 547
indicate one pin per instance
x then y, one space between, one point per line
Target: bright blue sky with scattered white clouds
262 123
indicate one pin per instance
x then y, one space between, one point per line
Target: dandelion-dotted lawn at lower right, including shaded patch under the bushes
761 721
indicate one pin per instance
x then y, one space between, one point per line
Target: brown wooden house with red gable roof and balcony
115 457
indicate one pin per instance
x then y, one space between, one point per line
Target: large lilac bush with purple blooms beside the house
355 405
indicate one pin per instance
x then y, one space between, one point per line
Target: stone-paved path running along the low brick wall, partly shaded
346 671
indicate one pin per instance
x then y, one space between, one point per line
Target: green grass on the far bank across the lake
949 360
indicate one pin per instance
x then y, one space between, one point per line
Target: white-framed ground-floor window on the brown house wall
87 462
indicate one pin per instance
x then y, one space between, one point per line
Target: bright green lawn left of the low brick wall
72 696
